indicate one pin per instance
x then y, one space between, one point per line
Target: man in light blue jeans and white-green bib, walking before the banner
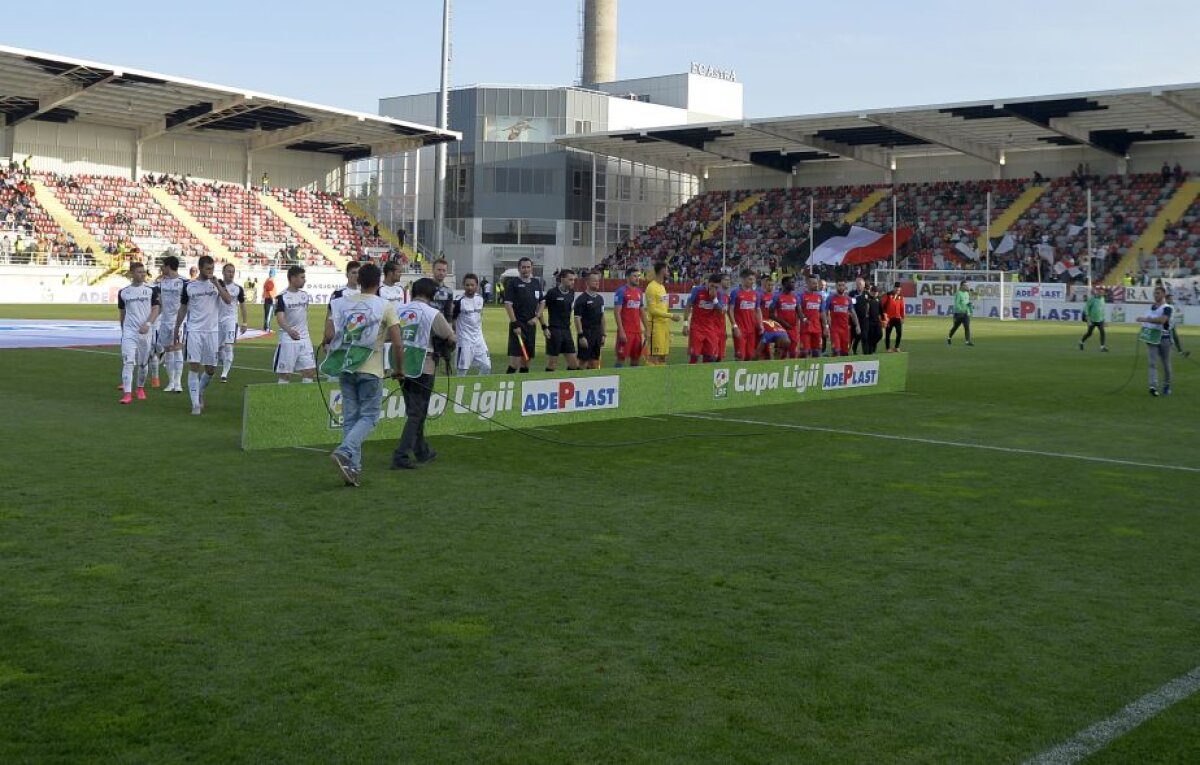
356 330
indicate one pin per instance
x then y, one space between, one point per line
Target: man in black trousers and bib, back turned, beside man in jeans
422 323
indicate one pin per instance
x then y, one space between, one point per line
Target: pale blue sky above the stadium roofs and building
793 57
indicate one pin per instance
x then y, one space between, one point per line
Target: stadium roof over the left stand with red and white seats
57 89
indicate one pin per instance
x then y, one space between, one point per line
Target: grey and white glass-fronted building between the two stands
514 192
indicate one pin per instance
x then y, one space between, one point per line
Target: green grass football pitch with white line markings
766 595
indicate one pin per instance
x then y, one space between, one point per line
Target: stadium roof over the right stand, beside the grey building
1109 122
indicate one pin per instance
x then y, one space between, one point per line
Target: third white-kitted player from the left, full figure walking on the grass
199 305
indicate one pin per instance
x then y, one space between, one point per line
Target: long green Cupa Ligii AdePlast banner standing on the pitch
304 415
